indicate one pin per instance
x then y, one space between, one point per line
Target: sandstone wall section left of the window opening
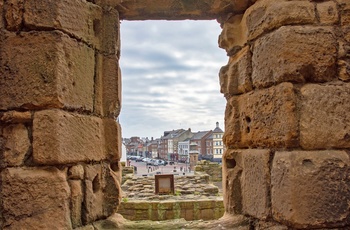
59 97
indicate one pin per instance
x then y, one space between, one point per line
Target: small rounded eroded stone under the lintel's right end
233 36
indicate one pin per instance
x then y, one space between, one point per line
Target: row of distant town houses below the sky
177 145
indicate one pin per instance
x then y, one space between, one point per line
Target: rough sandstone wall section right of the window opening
287 120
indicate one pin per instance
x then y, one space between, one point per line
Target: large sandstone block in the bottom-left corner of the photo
35 198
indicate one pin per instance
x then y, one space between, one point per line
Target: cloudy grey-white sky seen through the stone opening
170 77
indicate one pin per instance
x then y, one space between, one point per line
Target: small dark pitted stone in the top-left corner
13 12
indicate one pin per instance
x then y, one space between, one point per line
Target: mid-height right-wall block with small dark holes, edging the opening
268 120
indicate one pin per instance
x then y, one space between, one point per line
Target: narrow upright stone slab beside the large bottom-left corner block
76 202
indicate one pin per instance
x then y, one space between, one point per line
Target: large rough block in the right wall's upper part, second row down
300 54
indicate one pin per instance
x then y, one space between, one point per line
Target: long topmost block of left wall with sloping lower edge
78 18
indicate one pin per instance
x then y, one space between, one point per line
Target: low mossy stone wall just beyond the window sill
172 209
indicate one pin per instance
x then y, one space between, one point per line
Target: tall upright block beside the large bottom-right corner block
256 183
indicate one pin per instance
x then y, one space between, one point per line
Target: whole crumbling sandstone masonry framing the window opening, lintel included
287 120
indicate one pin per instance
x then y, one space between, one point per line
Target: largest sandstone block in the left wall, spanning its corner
60 75
